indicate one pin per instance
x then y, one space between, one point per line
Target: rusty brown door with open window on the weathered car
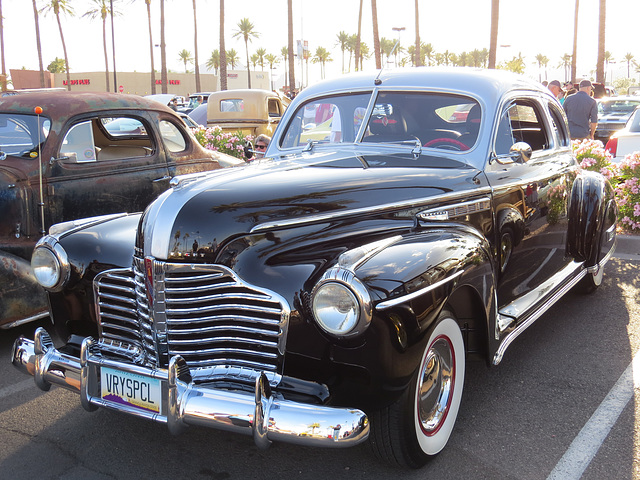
107 163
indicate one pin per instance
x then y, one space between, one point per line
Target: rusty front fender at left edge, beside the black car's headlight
22 299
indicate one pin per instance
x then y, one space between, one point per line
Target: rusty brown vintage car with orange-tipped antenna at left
85 154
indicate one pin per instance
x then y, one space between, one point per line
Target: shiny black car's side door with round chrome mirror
530 196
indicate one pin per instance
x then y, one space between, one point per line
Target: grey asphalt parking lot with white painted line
562 404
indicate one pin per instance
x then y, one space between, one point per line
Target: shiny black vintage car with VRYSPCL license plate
404 223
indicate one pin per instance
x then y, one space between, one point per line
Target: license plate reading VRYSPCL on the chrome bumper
131 389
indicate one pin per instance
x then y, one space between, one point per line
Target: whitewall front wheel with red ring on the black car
418 425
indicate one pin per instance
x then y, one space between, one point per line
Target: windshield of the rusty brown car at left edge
21 134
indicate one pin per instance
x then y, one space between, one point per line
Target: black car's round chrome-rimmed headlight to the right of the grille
341 303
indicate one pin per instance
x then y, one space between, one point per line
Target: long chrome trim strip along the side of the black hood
415 203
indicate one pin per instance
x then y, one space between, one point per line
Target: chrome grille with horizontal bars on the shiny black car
219 324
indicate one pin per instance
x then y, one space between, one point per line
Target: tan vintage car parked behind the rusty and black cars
253 112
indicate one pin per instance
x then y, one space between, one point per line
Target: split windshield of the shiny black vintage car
435 120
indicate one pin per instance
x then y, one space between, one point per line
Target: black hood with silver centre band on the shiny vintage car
199 219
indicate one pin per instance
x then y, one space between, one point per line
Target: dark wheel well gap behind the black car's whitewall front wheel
467 306
